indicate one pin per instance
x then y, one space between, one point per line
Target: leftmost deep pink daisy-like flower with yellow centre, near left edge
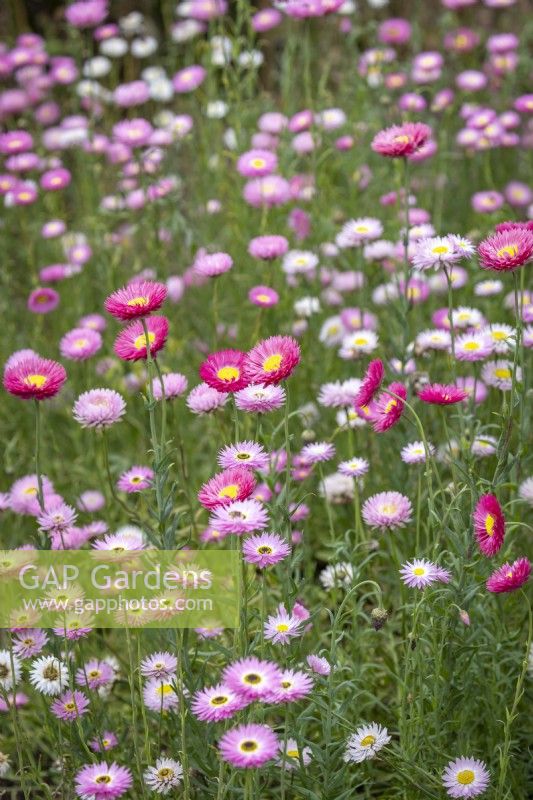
33 377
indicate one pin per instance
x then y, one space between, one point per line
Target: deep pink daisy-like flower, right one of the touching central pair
272 360
